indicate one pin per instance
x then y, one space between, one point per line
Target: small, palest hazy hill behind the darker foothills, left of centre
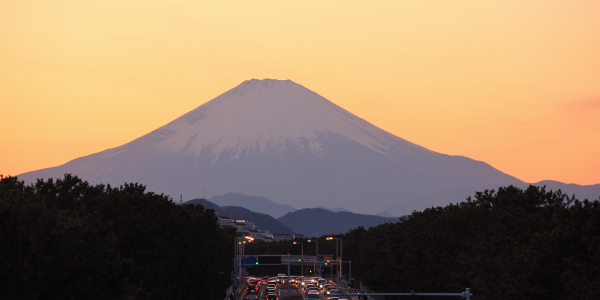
258 204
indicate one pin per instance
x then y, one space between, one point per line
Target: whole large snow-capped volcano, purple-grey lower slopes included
280 140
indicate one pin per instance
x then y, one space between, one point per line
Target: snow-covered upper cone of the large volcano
263 116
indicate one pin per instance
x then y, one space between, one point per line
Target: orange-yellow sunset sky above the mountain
514 83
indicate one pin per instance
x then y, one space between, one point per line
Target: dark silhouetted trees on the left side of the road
68 239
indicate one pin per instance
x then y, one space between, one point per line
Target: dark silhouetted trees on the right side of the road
506 244
